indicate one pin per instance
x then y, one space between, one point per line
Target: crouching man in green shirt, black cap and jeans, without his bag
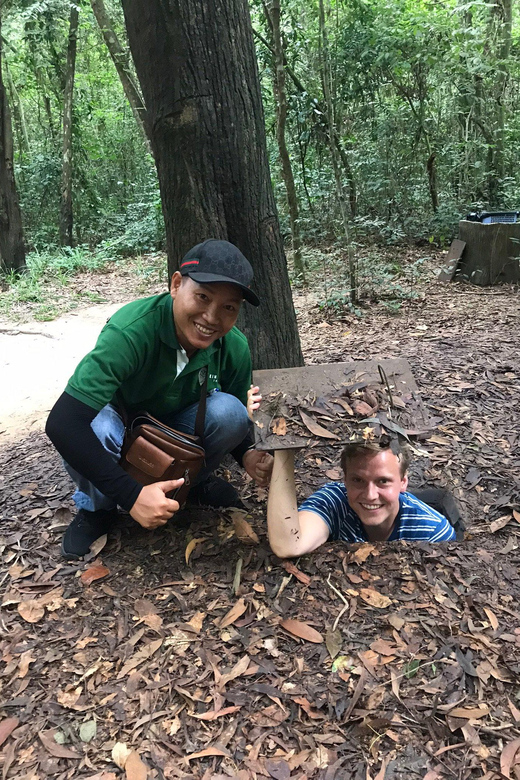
148 357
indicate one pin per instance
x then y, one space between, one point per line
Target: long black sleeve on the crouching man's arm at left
68 427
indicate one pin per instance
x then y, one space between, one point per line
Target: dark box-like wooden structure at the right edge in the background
492 253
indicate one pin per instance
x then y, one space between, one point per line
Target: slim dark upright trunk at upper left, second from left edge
66 215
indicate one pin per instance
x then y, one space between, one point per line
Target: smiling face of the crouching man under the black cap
203 313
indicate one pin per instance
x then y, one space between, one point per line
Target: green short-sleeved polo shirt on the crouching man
134 363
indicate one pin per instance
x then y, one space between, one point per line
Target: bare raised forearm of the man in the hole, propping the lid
283 525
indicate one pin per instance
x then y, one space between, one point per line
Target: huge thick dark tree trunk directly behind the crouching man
197 67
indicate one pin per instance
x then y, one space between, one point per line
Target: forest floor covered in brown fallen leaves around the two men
175 654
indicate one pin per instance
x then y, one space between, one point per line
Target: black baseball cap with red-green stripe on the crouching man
219 261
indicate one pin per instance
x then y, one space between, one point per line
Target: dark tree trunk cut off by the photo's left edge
12 248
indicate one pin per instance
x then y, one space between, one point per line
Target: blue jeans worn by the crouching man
226 426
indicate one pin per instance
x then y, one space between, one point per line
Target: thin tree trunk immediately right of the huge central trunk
273 15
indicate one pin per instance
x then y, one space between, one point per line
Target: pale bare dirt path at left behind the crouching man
36 360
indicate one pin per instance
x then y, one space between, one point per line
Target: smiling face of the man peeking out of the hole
373 482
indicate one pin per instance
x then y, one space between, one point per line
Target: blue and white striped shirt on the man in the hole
415 522
